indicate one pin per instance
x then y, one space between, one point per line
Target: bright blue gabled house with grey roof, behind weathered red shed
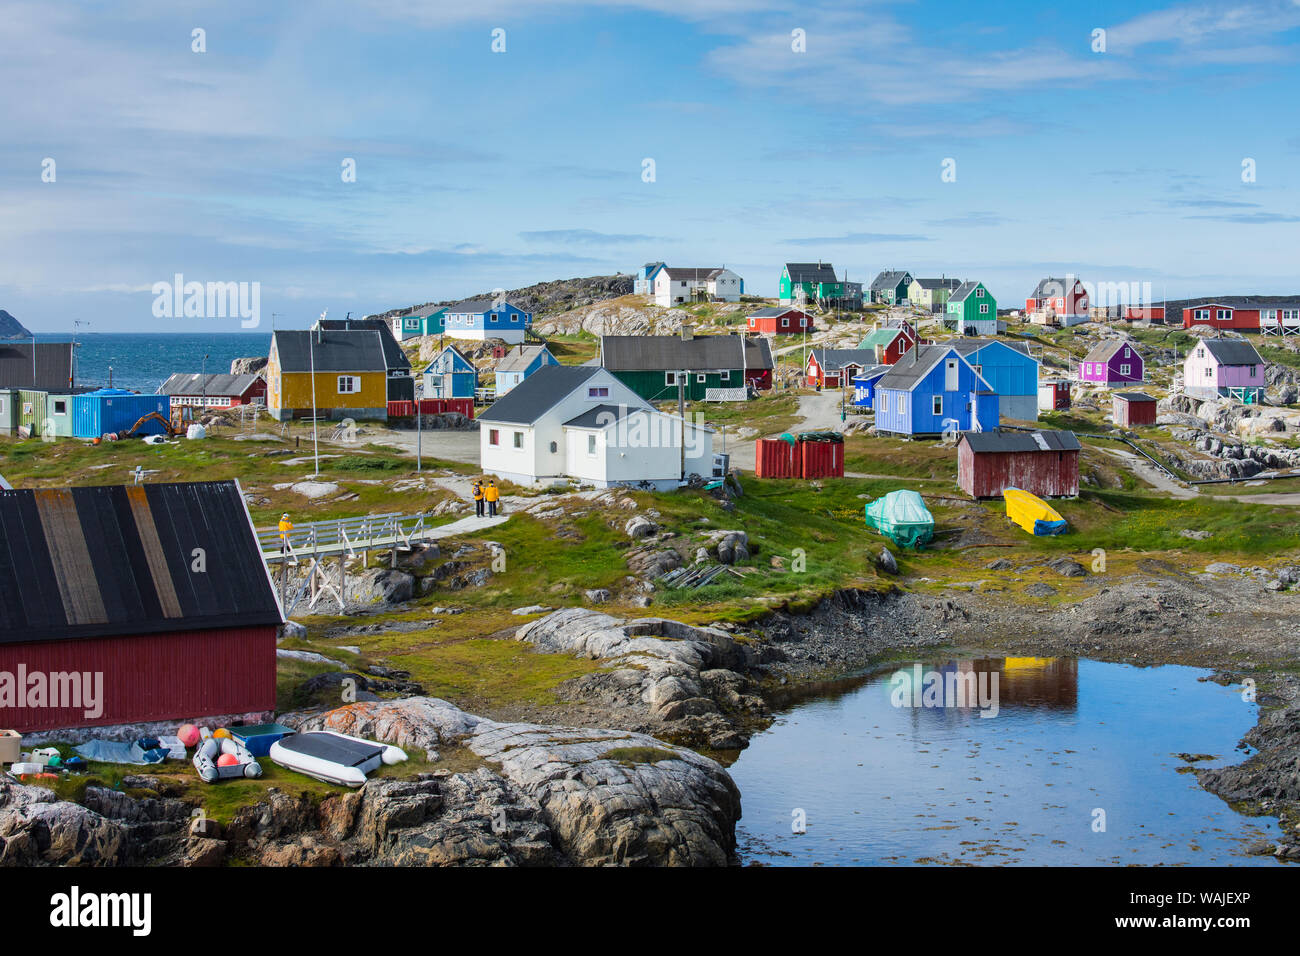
931 391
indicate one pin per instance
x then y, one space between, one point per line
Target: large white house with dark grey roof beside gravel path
580 422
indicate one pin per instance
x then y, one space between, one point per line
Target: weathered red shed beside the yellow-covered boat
1043 464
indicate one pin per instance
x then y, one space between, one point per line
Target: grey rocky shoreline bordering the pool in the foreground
618 777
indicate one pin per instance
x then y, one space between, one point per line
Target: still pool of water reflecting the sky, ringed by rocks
1076 764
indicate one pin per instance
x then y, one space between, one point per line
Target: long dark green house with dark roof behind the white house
657 366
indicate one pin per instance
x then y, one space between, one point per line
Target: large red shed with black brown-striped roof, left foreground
133 603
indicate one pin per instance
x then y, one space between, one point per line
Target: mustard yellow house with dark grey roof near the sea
350 370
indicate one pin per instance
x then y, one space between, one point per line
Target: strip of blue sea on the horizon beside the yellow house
142 361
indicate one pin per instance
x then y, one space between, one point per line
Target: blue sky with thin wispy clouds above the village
478 170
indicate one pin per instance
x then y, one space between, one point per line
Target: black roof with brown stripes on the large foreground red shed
119 561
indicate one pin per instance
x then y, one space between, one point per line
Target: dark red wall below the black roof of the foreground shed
164 677
